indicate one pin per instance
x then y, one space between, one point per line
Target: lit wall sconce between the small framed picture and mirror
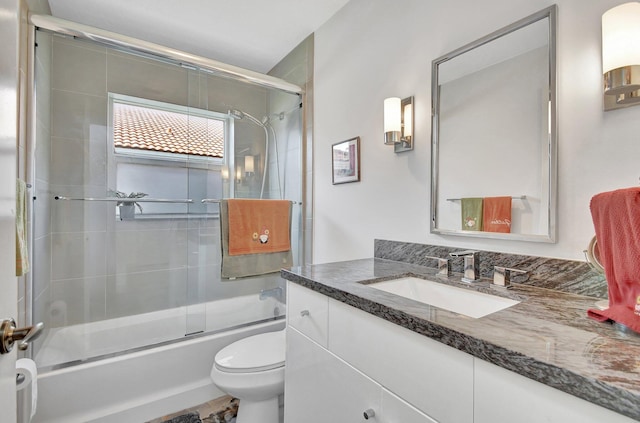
398 123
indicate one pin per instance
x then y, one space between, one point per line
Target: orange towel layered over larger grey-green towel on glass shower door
258 226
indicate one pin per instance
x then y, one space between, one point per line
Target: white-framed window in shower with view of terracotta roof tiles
160 147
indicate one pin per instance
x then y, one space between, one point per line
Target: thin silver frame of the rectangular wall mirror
548 13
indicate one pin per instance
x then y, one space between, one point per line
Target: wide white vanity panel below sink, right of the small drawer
433 377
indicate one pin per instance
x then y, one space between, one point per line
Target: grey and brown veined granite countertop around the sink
546 337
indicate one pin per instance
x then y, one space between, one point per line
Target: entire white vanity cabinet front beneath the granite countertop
342 361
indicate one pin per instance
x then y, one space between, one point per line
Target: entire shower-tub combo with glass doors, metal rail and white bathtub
134 307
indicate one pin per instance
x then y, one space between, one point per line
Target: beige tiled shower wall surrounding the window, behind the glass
101 267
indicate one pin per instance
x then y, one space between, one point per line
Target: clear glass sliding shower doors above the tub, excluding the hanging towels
104 284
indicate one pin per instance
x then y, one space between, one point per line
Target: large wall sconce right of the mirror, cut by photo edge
621 56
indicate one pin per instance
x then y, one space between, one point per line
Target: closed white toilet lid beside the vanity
253 354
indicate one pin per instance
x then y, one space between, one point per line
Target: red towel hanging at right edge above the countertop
616 217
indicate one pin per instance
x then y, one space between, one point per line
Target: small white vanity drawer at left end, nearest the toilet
307 312
